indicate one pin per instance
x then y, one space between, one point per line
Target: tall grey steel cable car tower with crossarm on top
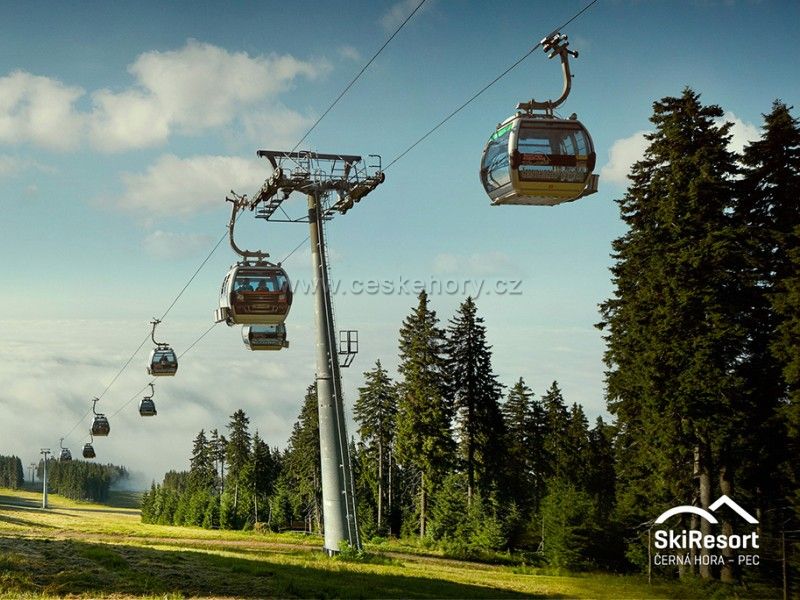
348 179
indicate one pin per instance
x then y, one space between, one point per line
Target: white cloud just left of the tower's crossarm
183 186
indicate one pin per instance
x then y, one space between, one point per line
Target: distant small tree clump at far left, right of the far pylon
81 480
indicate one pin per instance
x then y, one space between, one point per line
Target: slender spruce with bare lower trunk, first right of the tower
375 411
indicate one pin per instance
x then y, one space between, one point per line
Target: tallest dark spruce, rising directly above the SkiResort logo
673 328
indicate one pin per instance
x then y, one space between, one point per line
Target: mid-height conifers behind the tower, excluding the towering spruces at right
440 456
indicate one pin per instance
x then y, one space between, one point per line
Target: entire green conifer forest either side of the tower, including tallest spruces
702 358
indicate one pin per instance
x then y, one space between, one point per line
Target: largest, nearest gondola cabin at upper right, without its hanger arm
538 160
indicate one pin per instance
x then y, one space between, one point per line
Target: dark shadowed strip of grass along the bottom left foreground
62 567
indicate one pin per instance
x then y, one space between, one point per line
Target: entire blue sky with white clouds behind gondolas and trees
123 125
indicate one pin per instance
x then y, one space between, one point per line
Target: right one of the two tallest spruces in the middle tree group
475 393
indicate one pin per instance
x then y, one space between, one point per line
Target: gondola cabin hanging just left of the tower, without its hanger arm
254 293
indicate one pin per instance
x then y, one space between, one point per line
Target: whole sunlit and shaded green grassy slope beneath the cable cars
98 551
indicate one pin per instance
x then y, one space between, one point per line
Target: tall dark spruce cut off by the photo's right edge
770 208
